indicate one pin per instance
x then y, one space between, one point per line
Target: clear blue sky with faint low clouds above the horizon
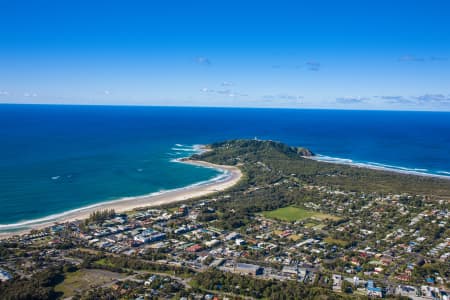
301 54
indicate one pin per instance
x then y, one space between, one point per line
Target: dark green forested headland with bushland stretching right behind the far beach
269 162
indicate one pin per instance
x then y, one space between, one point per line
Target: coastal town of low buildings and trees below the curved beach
347 243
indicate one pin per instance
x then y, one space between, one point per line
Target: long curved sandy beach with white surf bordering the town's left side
230 176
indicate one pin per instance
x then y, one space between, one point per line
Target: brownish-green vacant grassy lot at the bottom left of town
85 278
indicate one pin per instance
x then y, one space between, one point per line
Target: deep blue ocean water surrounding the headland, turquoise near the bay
58 158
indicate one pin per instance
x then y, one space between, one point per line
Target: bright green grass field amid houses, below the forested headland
292 213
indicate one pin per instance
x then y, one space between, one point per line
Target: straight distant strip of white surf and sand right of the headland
393 169
